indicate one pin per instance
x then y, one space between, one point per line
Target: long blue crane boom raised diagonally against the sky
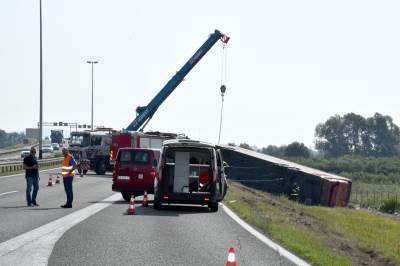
144 113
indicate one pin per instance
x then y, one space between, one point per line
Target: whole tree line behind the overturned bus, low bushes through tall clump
350 134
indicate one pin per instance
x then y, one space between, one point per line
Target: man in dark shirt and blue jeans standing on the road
32 178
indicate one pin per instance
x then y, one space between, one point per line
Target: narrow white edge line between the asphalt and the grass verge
282 251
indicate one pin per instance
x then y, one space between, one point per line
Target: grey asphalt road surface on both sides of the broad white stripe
176 235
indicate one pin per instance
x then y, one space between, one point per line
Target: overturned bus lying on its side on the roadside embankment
275 175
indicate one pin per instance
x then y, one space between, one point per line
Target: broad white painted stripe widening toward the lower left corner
36 246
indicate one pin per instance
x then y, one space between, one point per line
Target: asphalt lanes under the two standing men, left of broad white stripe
16 218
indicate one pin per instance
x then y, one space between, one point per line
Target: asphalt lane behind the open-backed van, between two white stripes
176 235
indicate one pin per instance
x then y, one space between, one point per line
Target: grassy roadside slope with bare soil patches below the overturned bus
320 235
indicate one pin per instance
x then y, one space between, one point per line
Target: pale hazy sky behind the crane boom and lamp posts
290 64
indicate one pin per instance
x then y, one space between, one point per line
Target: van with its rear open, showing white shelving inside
190 172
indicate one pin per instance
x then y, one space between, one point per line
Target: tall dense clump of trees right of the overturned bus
353 134
